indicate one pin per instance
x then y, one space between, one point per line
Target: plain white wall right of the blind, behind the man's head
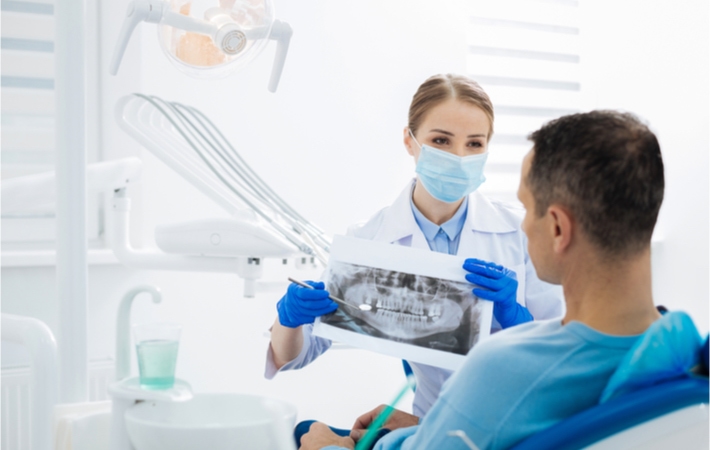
651 57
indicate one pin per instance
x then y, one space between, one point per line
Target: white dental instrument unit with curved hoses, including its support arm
181 136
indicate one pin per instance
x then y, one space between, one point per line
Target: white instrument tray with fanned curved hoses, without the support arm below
262 224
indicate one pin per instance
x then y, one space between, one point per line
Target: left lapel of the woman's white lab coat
399 223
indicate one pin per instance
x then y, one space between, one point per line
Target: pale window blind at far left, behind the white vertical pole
27 143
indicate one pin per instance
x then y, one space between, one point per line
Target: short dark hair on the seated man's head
606 167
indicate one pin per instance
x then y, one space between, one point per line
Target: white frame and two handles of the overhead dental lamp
227 36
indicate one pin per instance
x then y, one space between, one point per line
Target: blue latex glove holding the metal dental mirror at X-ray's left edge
302 305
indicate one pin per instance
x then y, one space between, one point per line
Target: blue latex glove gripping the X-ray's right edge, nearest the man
501 286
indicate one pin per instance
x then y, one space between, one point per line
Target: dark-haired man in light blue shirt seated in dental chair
592 186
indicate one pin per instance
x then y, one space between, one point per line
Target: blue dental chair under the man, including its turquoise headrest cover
653 401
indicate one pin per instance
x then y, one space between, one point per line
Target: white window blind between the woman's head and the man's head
526 55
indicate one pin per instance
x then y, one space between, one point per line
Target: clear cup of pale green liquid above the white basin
157 346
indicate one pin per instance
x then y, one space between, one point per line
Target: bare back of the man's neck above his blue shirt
611 297
